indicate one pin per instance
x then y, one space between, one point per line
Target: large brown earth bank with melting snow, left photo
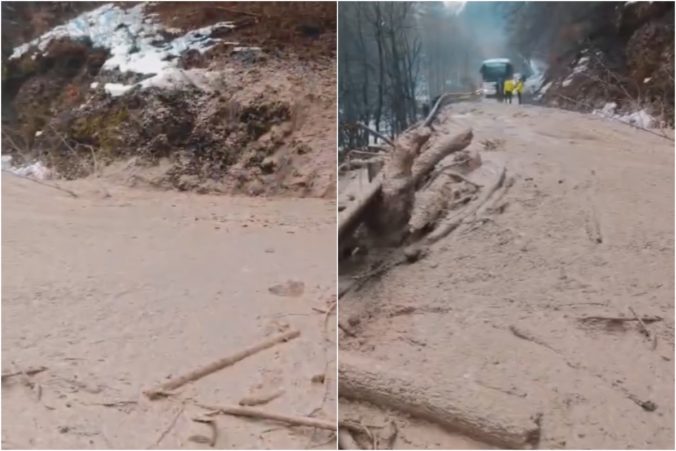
253 114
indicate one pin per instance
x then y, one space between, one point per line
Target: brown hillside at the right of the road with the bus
624 55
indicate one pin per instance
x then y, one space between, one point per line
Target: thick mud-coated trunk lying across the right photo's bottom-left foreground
489 416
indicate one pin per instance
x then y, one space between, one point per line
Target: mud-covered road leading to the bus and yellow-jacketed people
586 230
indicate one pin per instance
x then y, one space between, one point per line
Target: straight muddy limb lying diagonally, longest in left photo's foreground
219 364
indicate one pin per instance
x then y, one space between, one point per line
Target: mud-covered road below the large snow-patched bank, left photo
117 290
